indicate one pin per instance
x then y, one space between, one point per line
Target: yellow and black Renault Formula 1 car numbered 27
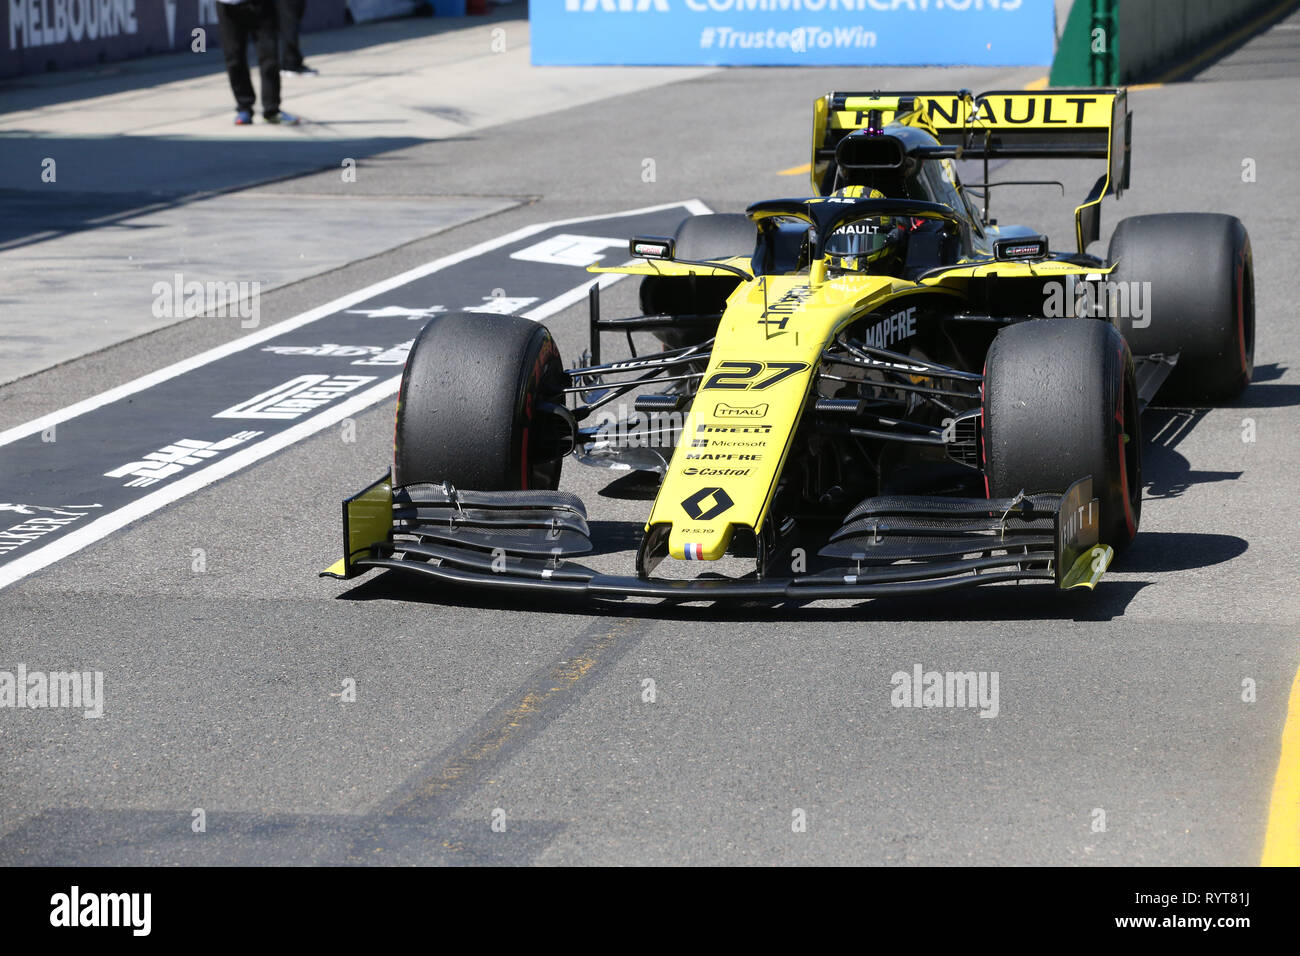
872 391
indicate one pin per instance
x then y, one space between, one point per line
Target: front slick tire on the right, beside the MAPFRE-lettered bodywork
1060 405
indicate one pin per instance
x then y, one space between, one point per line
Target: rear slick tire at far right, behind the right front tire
1202 300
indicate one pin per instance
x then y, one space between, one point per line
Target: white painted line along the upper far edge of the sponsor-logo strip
153 379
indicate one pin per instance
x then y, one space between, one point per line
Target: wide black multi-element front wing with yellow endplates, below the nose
523 542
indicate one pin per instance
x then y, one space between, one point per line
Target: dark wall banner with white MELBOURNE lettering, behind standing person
55 34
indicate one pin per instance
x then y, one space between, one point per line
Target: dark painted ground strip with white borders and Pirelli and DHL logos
77 475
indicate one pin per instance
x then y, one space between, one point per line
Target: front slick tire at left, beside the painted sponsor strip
471 409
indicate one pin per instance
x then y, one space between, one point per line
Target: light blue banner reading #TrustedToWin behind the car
987 33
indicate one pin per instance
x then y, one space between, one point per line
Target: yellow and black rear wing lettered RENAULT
1000 124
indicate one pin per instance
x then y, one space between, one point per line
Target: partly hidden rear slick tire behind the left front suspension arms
713 236
